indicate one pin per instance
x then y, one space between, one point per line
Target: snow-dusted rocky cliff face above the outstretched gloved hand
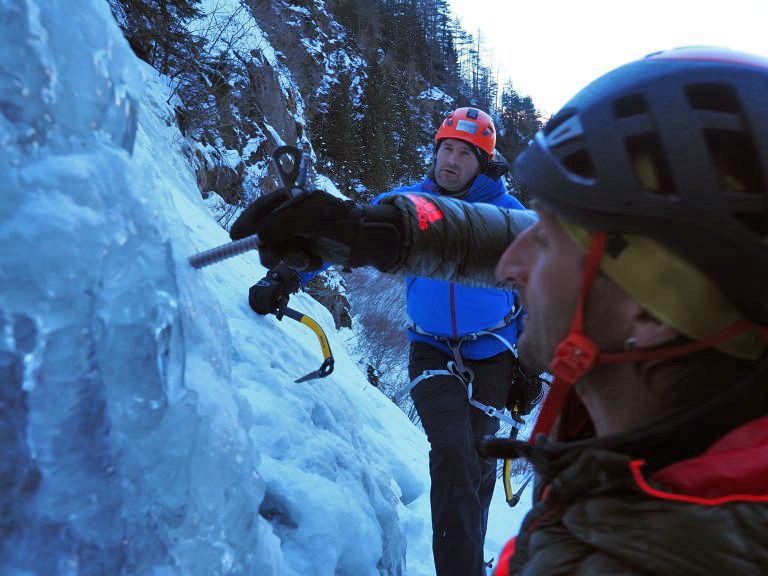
267 67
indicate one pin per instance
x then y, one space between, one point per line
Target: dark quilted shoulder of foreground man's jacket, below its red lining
595 519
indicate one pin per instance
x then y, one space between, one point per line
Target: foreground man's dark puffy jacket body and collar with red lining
601 510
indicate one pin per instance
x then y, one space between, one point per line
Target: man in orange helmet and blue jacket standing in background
461 361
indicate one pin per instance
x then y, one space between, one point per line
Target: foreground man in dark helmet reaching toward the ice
644 277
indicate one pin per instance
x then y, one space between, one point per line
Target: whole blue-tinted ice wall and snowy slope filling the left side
150 423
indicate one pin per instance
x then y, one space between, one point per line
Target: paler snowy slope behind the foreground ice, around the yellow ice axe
334 453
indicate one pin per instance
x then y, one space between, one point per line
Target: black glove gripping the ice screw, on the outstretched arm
318 227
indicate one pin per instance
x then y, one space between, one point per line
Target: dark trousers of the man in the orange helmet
462 482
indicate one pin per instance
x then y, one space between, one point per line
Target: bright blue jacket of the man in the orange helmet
454 310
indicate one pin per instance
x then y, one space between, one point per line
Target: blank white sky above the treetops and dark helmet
552 48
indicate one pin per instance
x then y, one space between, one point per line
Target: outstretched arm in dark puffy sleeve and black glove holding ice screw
409 234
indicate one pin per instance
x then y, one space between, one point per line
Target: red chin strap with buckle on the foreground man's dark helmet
577 354
